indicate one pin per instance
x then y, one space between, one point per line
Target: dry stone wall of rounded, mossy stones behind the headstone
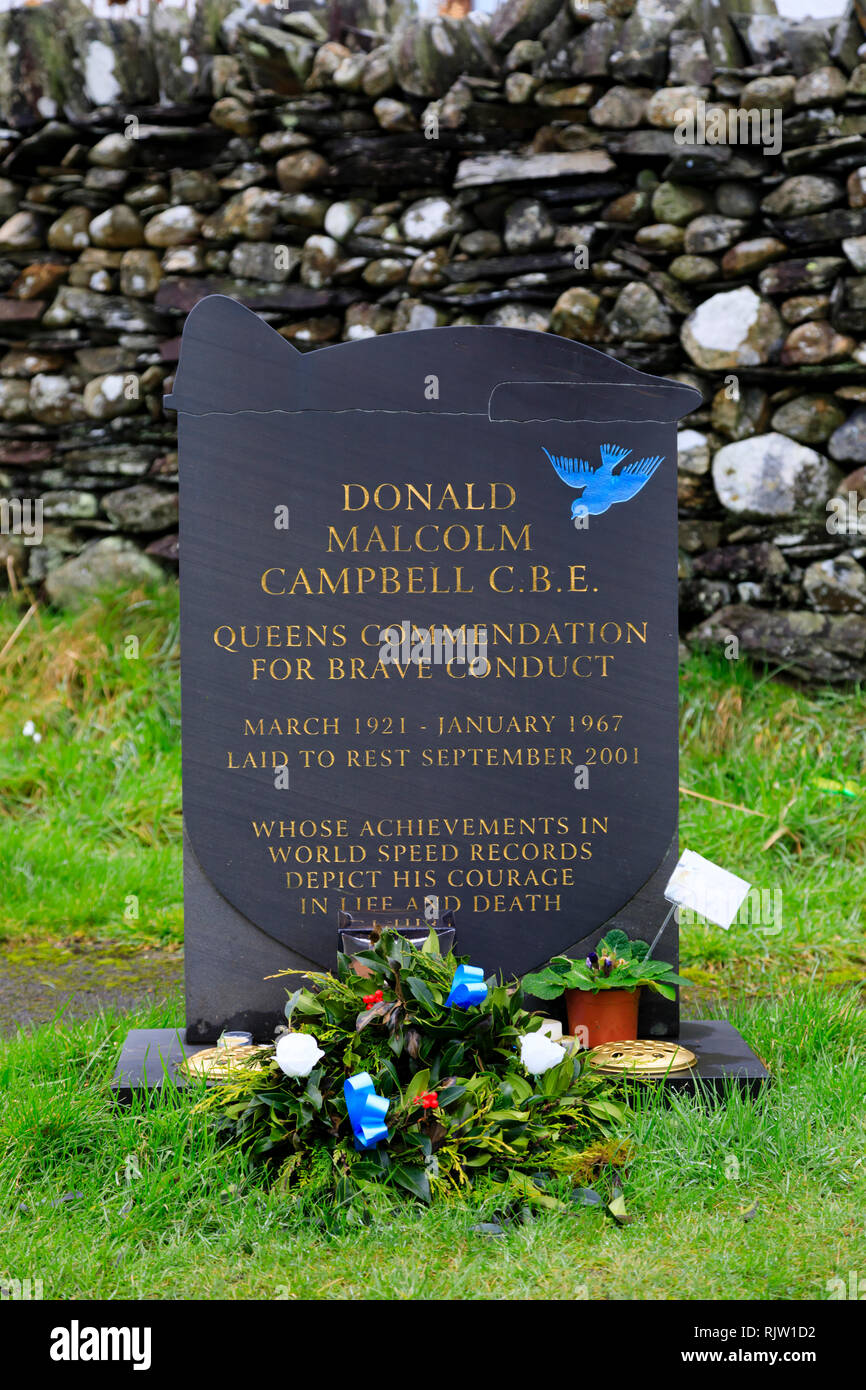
350 172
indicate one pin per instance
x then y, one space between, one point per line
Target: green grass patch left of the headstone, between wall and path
91 817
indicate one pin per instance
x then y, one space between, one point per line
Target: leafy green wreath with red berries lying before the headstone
462 1106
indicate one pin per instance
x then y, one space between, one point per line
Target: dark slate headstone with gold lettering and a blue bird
336 508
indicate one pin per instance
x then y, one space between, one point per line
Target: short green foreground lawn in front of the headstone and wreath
165 1214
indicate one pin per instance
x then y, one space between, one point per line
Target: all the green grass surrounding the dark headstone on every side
743 1200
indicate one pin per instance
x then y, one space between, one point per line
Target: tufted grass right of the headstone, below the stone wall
765 747
